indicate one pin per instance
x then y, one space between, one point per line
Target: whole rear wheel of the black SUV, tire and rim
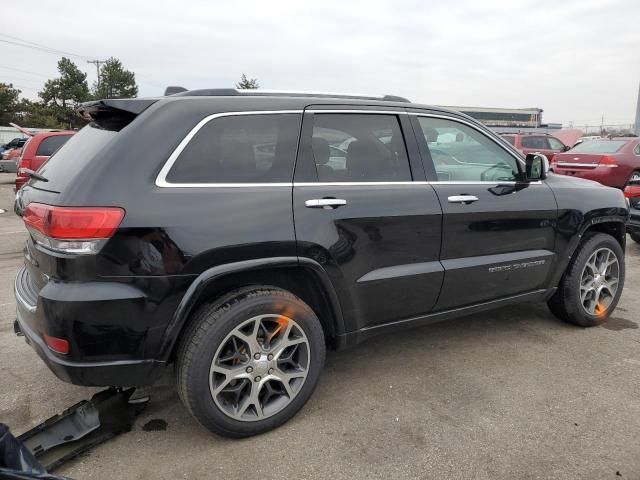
219 347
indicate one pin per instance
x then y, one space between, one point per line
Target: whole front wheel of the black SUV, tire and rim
567 303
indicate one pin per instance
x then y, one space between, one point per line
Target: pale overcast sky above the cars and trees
577 59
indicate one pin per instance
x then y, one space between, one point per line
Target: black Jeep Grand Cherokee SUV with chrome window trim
237 235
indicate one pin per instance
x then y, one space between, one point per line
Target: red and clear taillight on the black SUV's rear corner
72 229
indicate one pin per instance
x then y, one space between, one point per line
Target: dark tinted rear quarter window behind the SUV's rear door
240 149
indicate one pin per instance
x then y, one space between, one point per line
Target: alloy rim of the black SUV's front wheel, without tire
599 281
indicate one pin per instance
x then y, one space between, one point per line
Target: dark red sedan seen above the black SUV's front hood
613 161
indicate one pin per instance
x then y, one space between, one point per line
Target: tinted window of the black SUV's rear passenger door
359 148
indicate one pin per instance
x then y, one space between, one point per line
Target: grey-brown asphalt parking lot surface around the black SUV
512 393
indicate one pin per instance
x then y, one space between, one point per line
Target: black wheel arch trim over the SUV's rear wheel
303 277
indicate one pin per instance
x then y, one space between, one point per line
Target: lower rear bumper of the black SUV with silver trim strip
121 372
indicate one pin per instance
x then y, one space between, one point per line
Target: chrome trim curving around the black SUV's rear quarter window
161 179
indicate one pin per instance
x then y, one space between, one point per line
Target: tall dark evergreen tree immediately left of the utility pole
61 95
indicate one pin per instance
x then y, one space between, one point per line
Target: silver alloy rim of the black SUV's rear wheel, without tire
259 367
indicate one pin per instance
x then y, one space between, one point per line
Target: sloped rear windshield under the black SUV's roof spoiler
73 156
